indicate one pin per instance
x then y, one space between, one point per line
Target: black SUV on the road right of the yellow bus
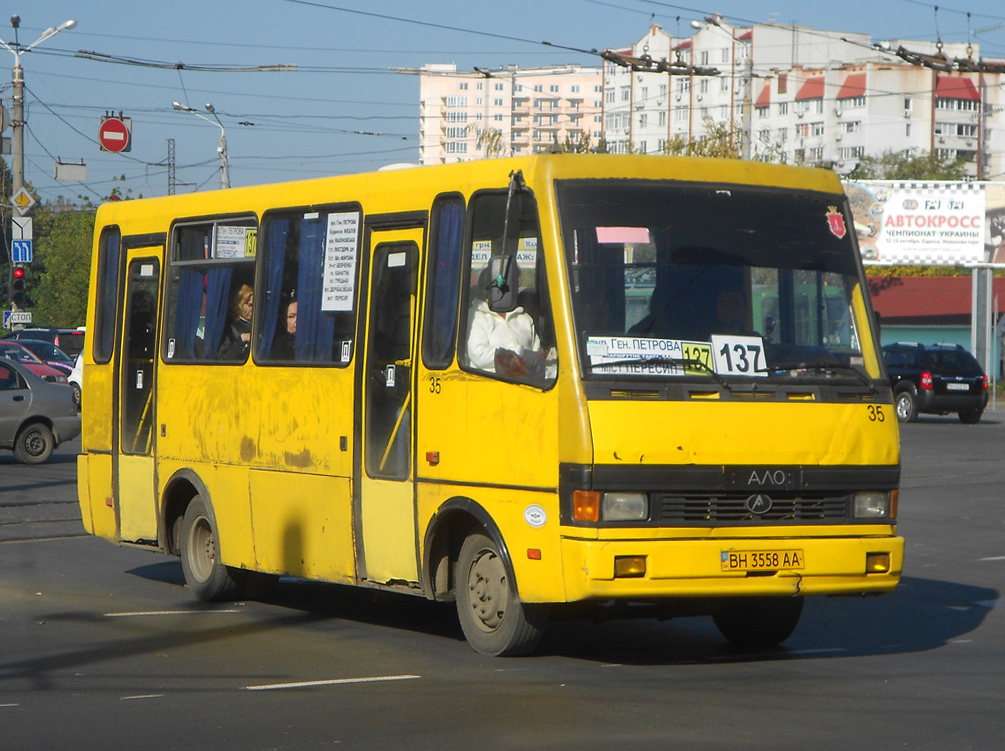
936 380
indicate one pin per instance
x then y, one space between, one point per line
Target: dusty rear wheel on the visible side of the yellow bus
206 576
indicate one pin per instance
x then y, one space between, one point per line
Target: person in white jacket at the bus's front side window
502 335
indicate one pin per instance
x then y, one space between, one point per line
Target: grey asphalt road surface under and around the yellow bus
104 648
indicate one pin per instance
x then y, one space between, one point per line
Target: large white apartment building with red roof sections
806 96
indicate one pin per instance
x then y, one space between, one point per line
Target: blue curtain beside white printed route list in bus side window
315 329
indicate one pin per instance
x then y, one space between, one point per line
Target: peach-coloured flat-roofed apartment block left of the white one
506 112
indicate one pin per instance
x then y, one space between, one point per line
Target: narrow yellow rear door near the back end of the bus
134 451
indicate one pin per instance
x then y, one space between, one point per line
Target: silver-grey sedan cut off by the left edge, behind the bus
36 416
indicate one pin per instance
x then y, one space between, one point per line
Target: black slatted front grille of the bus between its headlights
732 510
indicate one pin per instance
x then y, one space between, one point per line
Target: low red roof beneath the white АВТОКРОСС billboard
926 300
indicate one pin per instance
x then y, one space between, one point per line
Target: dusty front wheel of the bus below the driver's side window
494 620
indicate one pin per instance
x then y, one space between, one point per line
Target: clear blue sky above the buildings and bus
346 109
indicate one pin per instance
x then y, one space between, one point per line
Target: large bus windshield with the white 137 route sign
724 282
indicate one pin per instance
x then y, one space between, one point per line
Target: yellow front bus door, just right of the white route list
386 508
